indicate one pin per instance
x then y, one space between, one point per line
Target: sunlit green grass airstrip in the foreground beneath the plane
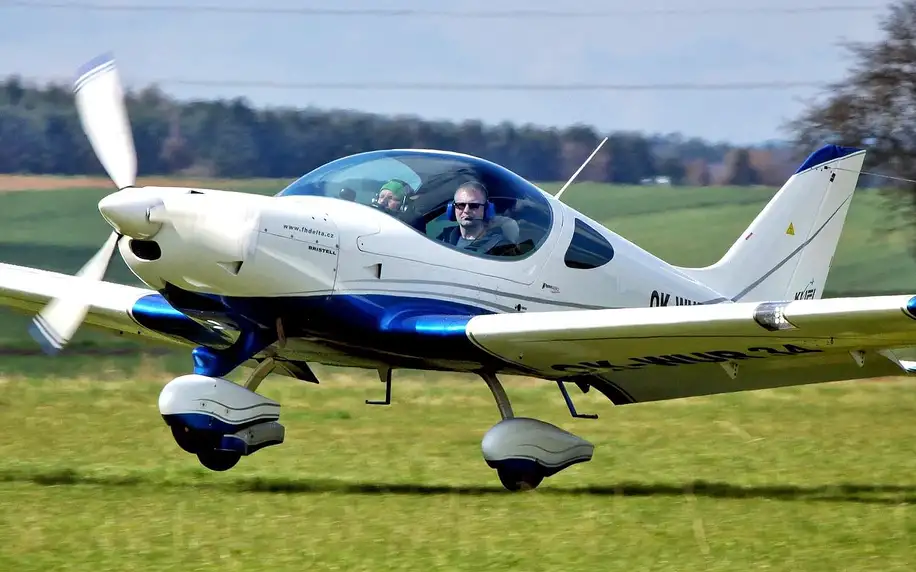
813 478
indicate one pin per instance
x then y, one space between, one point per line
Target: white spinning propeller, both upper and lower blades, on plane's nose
100 104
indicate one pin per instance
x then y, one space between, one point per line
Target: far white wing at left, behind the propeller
28 290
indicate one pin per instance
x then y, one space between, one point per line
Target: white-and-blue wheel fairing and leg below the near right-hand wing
524 451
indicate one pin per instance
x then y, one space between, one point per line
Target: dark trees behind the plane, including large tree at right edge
873 106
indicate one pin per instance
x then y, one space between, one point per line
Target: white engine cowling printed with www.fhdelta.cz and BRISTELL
237 244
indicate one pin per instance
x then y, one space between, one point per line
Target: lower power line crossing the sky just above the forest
467 86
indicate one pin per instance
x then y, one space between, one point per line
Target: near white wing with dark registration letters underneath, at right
651 354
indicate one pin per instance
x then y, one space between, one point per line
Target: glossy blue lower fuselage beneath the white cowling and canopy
390 328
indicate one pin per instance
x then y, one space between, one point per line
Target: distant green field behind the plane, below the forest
60 228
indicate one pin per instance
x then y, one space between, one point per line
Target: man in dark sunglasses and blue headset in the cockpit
478 229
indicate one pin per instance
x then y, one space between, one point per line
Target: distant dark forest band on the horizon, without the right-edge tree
40 133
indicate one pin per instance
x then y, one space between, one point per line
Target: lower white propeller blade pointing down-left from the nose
53 327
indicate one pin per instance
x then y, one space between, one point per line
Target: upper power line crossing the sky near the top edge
413 13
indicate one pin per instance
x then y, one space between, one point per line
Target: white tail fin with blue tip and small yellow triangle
787 250
